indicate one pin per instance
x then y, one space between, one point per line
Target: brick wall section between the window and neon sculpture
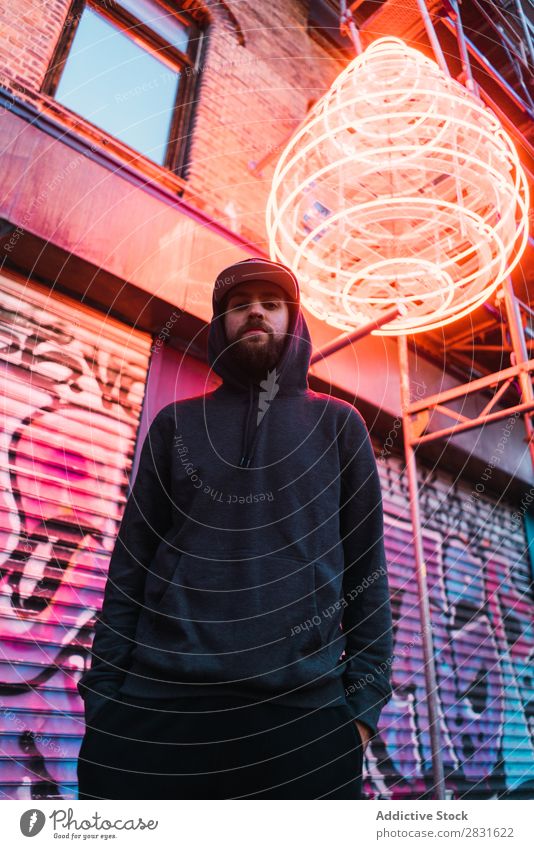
251 99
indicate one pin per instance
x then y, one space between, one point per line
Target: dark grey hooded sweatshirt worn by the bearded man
250 557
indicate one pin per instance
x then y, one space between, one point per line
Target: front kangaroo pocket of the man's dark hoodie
234 620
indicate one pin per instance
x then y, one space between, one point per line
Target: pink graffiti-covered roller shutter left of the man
71 407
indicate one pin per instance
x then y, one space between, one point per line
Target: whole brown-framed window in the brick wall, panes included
127 67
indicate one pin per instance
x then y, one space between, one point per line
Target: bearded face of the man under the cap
256 320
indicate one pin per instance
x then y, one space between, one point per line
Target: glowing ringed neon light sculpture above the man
400 189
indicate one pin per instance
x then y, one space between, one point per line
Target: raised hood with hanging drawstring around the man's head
288 377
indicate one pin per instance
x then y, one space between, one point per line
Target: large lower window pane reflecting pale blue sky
118 86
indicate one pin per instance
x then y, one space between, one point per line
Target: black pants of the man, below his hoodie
219 749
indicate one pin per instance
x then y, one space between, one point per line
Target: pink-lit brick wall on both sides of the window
250 98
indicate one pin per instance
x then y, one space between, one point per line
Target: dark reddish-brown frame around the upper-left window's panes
176 156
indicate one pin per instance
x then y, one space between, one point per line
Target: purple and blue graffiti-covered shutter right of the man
481 607
